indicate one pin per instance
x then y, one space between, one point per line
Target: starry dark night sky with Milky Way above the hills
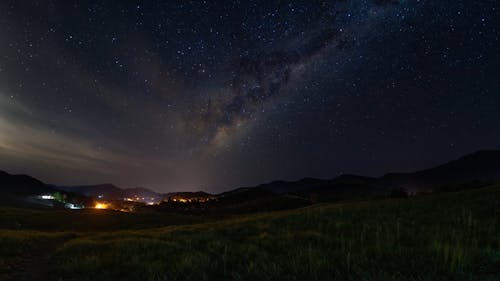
213 95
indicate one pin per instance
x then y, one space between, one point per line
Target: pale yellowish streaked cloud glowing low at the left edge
25 139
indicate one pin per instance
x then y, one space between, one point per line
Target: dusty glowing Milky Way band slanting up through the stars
262 76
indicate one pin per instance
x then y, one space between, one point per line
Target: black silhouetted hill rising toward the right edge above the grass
473 170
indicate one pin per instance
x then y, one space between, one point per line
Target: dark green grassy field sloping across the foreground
448 236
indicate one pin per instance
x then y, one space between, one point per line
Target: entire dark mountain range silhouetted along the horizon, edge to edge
476 169
